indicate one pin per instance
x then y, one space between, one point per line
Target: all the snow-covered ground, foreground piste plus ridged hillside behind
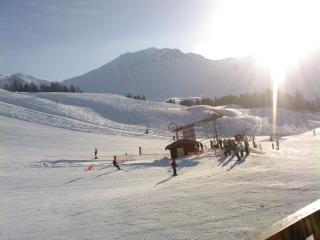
48 139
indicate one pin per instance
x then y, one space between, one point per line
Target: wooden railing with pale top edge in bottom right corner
301 225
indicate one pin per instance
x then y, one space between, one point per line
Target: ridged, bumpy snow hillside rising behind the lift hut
114 114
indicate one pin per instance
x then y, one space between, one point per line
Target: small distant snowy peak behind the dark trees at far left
21 78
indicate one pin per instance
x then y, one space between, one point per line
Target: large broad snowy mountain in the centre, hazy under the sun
162 73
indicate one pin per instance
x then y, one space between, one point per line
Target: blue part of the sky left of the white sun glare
58 39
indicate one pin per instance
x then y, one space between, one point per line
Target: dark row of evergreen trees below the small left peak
16 86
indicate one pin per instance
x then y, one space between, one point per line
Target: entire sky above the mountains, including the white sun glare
59 39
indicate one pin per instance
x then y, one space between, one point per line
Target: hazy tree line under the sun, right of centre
295 101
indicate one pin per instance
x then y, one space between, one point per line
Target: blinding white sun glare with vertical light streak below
278 33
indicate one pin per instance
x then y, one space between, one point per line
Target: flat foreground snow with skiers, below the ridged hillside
45 193
